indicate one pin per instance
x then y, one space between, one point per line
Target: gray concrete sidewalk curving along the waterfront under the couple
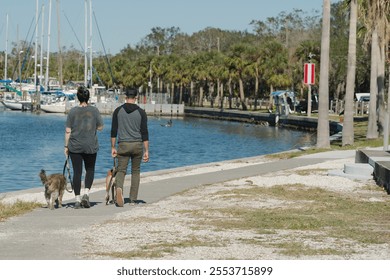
53 235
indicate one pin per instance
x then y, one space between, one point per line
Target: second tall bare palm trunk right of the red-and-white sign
348 133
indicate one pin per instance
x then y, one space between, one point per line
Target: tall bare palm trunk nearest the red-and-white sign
323 108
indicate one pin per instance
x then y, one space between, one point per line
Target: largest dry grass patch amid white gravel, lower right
325 214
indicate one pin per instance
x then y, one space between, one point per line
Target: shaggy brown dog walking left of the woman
54 188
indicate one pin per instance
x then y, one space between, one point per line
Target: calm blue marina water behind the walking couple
30 142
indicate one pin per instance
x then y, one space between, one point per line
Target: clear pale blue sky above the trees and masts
126 22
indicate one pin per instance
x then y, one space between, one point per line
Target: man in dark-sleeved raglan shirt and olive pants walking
130 126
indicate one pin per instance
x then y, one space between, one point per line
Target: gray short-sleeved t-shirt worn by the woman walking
83 122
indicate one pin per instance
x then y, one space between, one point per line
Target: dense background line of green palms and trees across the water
212 62
